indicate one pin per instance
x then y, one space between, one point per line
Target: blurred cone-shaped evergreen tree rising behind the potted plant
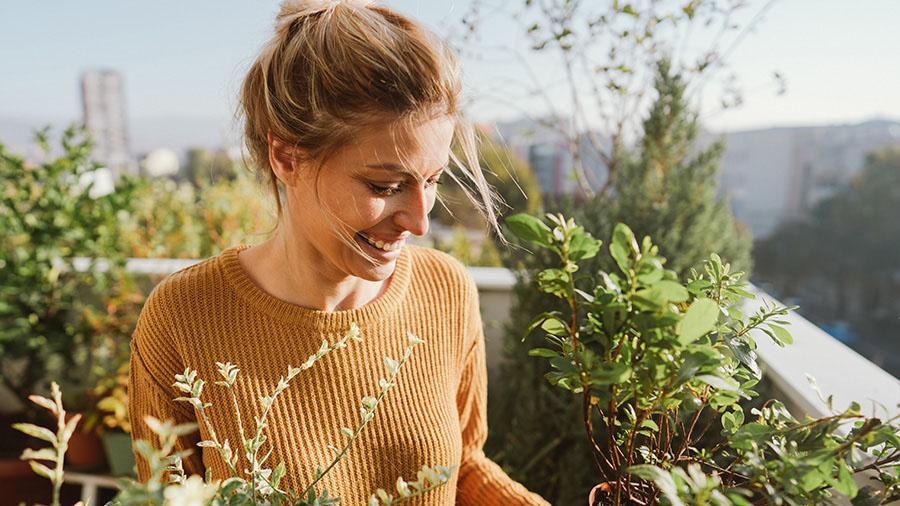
667 188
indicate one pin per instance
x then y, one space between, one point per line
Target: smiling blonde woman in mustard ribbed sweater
349 111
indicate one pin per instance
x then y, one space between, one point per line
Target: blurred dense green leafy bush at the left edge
48 217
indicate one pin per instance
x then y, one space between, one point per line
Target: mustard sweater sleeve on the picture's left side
154 363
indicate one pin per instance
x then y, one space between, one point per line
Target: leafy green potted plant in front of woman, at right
661 365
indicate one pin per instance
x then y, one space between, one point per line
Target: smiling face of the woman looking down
378 190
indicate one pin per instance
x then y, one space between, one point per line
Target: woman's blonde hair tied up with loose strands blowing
334 69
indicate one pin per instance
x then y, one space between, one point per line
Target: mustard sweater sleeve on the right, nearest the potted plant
481 481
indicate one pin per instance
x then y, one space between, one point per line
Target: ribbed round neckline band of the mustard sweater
384 305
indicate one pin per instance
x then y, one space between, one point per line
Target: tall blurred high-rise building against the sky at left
103 100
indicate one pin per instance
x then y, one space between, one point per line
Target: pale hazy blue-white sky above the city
185 59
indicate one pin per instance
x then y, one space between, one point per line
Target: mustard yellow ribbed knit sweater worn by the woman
212 312
